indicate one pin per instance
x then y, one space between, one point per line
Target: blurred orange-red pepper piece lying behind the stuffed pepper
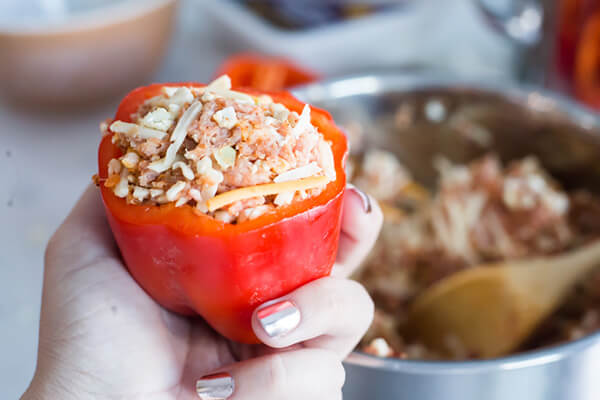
265 73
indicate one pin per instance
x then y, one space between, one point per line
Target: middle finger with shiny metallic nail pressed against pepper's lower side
329 313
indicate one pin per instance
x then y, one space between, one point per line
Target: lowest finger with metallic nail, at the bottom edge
295 375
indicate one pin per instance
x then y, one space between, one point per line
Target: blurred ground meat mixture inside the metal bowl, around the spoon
479 213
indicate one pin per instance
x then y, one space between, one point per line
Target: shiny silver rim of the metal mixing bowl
535 98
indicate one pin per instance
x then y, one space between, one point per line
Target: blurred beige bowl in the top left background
87 57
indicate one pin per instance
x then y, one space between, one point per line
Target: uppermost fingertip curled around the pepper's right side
361 223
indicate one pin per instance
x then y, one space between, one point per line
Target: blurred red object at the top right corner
579 48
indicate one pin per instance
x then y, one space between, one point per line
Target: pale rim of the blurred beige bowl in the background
87 20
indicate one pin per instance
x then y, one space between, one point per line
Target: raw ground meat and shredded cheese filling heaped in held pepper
229 155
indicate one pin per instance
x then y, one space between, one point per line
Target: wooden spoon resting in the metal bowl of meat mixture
492 309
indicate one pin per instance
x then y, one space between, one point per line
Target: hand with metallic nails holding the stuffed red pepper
102 337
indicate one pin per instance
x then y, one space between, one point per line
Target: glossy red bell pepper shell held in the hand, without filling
192 264
